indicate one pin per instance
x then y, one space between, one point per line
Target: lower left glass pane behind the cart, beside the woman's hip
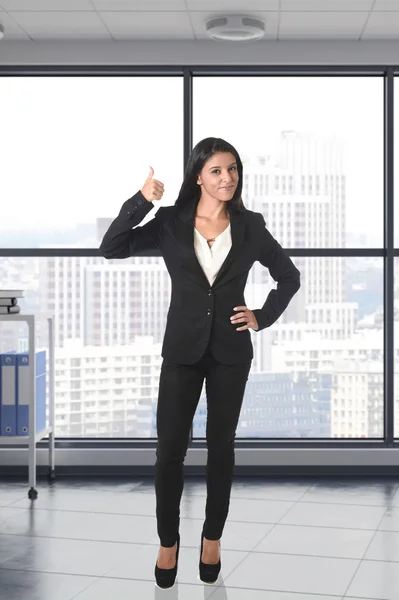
109 325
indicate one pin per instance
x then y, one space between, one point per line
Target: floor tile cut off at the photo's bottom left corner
28 585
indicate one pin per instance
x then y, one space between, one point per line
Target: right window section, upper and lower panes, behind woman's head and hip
328 158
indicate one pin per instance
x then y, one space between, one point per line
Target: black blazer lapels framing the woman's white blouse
185 239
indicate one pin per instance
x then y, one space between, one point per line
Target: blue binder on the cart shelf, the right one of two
23 391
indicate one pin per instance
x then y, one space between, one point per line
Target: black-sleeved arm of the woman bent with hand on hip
283 270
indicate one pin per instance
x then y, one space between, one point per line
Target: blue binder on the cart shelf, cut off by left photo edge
8 383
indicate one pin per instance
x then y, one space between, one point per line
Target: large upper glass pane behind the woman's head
312 149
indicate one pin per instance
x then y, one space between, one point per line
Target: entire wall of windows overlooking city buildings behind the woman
321 371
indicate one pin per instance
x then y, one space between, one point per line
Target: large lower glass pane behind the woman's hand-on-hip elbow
318 371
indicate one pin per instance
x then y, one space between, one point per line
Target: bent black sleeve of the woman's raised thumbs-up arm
121 240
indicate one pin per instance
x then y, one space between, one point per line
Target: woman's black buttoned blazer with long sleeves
199 313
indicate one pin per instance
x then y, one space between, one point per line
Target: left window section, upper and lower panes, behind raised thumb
92 134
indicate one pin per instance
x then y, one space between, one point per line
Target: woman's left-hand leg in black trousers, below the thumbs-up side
179 391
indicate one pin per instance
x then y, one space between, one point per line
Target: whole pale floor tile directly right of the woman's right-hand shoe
308 575
